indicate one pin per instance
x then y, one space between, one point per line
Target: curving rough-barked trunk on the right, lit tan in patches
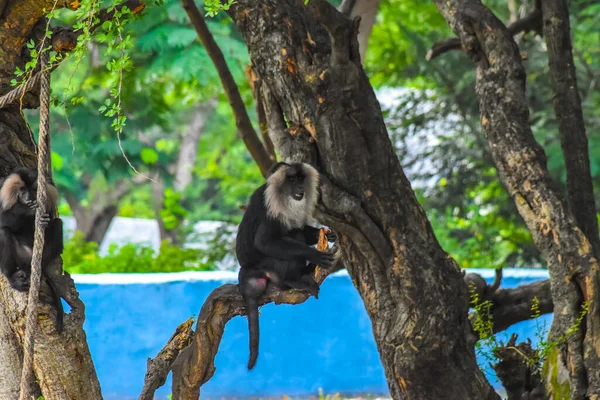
521 163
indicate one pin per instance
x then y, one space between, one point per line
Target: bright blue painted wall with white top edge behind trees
325 343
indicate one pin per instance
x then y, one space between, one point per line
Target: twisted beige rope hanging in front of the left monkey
44 167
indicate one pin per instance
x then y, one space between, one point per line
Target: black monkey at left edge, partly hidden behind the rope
18 203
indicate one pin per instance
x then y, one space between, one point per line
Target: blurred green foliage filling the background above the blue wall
166 73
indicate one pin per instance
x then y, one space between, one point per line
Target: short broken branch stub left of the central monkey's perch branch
160 366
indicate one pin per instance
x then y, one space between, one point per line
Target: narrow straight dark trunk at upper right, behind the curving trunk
571 128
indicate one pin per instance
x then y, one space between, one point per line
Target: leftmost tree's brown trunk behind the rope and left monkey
62 363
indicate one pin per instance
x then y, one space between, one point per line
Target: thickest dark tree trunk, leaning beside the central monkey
319 98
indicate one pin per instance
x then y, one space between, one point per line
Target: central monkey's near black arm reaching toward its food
274 244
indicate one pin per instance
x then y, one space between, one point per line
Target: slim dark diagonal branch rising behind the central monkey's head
242 120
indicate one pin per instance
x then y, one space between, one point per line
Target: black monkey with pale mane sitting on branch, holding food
274 240
